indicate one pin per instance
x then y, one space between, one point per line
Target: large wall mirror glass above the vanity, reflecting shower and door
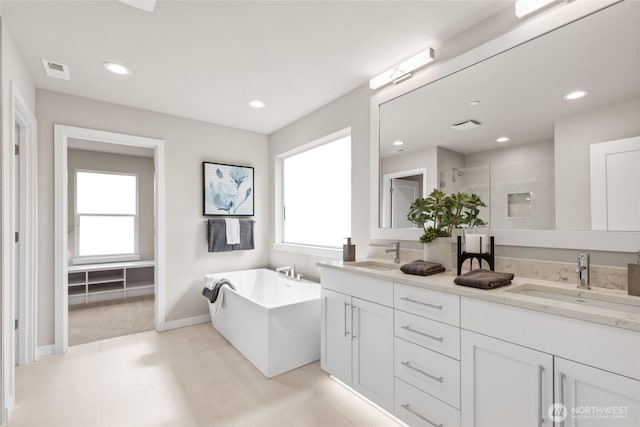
508 130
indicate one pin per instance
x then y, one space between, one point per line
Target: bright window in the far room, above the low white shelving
106 214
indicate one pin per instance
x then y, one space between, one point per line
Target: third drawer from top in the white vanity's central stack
429 371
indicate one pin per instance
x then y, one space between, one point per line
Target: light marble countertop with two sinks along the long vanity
443 282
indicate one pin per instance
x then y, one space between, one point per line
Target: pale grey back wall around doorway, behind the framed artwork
188 144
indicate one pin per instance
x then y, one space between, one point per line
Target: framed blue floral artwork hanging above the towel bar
228 190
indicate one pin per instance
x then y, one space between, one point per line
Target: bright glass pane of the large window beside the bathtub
316 193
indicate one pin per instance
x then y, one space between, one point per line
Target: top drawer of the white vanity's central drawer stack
424 302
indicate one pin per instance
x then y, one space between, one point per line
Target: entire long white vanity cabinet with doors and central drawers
435 358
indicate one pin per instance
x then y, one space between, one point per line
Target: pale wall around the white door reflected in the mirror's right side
573 136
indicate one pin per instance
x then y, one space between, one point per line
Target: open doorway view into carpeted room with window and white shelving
110 240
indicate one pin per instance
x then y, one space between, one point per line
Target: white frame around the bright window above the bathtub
280 244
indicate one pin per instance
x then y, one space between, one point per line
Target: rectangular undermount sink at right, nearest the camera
579 297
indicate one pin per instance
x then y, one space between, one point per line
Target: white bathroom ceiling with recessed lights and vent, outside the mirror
206 60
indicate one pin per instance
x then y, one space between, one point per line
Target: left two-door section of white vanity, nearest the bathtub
357 333
